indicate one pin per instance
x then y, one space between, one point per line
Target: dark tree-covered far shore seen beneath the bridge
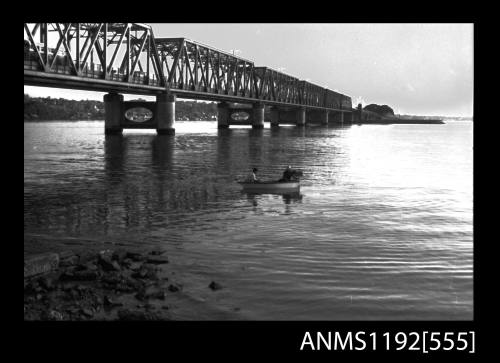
53 109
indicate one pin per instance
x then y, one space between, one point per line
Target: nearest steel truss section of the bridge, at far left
122 52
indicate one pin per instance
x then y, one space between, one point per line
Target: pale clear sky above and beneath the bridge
418 69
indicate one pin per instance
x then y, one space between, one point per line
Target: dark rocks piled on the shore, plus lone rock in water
109 285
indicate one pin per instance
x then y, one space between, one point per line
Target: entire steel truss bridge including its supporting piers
126 58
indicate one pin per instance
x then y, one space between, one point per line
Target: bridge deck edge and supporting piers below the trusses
232 109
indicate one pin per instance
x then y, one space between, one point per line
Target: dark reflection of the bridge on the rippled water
149 181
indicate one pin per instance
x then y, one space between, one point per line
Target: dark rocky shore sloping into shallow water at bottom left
119 285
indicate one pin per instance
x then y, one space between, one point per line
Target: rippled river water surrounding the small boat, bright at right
381 229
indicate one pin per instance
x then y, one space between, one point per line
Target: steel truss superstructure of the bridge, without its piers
128 58
